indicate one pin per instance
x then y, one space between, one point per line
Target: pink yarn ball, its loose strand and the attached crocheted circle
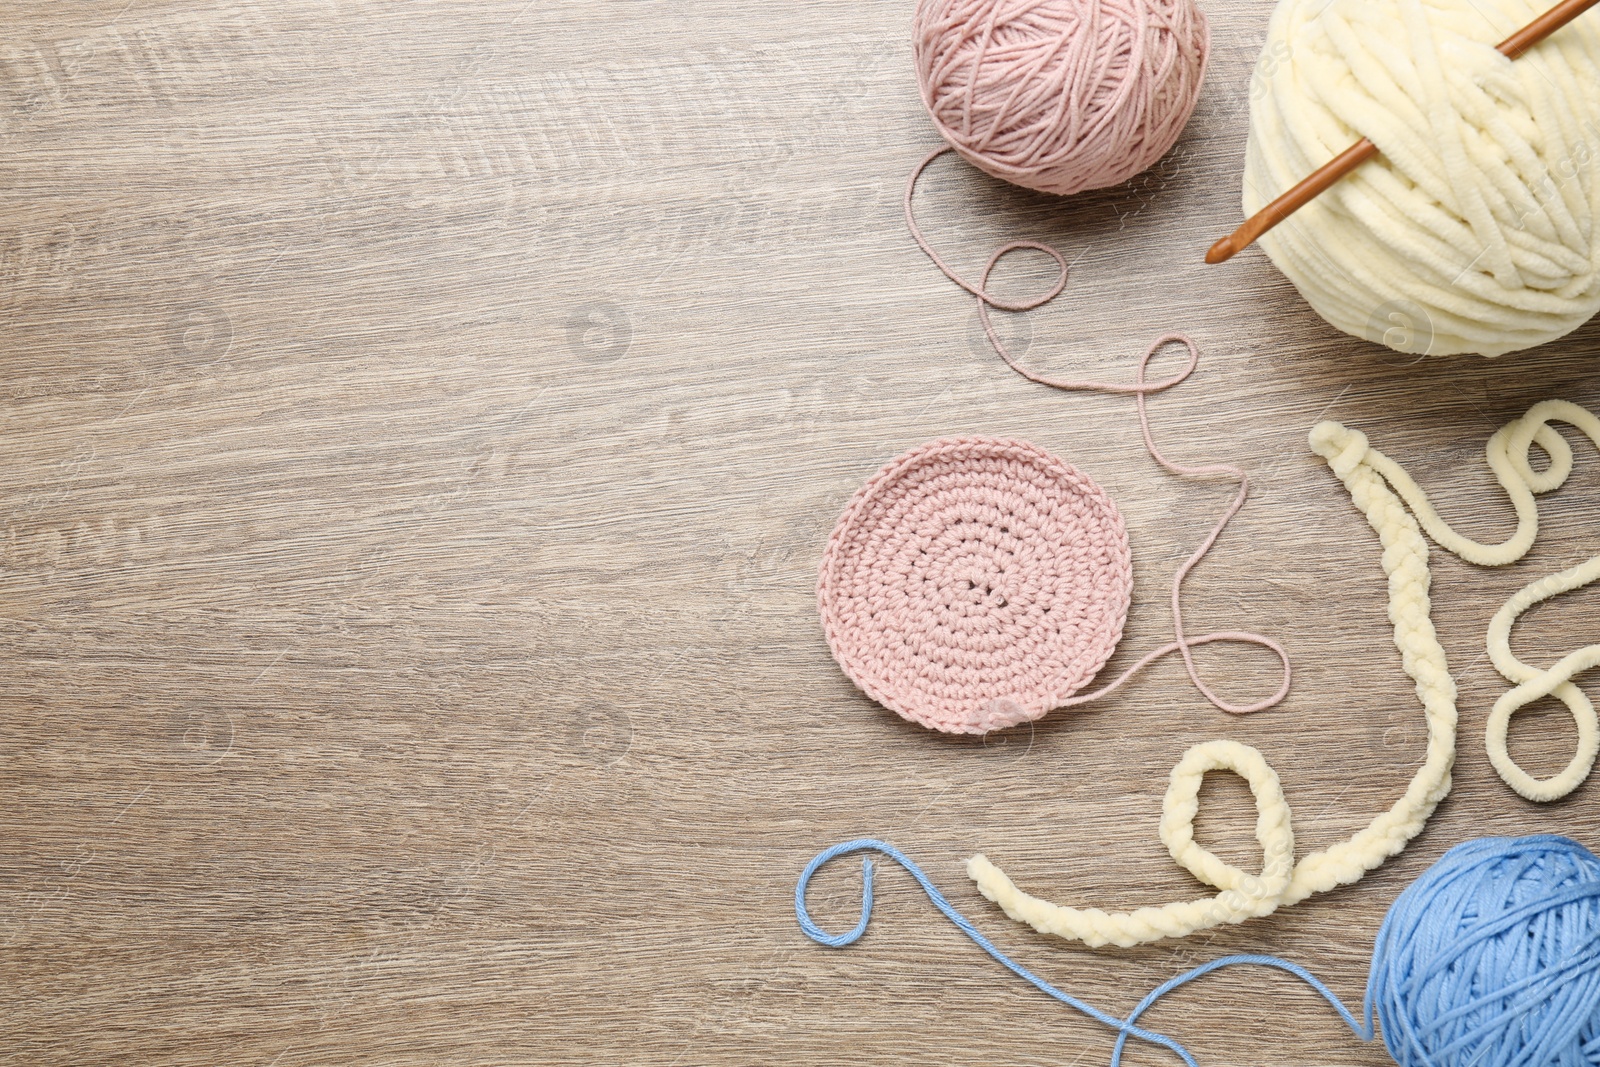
978 583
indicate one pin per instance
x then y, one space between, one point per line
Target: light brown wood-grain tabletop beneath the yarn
423 423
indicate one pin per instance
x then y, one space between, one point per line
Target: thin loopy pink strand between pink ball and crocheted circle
1140 390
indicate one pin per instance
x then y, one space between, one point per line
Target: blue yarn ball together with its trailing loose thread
1492 959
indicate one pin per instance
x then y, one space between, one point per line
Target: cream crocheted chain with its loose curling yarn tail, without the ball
1382 490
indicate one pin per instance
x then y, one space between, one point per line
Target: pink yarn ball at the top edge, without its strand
1060 95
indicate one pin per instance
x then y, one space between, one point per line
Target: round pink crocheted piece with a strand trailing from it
975 585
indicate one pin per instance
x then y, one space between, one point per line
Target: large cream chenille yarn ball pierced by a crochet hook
1474 231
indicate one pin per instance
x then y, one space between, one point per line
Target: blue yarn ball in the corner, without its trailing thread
1492 959
